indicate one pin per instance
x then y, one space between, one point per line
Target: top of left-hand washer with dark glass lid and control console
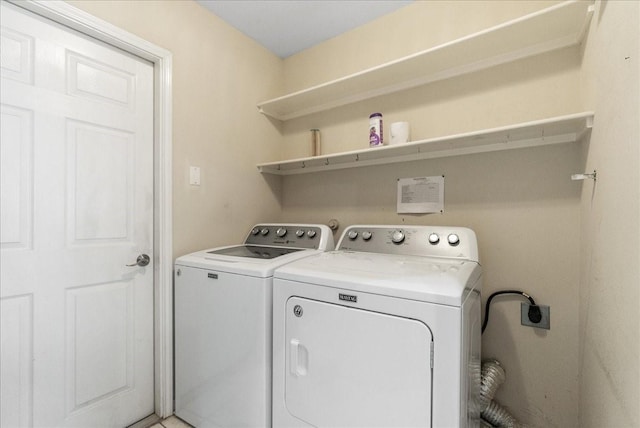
266 247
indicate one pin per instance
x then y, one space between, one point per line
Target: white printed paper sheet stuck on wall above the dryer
421 195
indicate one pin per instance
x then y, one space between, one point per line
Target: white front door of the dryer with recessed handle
351 367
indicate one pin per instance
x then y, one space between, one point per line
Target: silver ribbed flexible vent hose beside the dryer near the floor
493 375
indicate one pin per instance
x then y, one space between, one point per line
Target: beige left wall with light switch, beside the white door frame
219 75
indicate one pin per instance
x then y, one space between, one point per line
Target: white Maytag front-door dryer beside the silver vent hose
382 332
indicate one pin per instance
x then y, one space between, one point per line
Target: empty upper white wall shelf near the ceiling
556 27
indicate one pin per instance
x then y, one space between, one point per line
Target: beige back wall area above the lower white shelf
536 88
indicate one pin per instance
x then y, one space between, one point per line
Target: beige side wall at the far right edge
610 251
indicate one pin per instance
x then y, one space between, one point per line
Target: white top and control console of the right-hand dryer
436 272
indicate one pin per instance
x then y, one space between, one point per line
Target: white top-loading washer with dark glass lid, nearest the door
223 301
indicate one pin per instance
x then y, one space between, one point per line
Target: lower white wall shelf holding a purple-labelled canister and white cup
557 130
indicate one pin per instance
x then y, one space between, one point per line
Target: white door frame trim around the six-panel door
76 19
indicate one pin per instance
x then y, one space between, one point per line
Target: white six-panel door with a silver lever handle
76 206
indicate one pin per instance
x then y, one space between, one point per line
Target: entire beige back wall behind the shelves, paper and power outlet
522 203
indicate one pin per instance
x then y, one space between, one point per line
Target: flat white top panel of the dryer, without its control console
427 279
